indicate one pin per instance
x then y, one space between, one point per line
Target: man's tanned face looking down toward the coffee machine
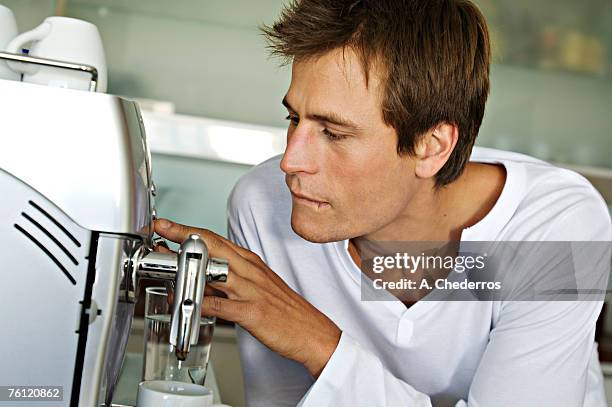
341 161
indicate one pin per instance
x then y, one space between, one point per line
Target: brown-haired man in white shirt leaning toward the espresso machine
385 102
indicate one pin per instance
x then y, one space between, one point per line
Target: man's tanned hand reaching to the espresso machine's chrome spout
259 301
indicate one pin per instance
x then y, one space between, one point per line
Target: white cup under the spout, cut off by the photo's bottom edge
162 393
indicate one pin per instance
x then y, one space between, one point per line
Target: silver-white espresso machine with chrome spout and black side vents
76 237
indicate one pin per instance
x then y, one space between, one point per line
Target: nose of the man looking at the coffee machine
301 151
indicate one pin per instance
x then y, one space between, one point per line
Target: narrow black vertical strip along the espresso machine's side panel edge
84 322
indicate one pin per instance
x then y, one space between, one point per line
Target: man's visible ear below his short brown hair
434 149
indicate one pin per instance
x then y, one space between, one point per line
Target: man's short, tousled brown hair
435 55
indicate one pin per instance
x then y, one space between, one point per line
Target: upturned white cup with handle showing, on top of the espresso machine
62 39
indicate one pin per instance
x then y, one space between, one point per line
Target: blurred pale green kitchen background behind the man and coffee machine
211 99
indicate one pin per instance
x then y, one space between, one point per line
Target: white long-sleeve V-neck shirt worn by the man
476 353
